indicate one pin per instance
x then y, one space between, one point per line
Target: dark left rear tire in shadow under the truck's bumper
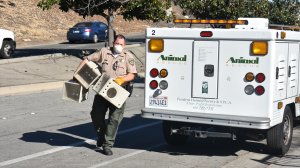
173 139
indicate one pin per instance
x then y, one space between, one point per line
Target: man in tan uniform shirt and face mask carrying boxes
118 64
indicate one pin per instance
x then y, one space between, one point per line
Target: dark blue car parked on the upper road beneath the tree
88 31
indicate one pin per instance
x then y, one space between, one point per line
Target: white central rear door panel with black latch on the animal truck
205 69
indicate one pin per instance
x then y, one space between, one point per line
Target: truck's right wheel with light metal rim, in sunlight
279 137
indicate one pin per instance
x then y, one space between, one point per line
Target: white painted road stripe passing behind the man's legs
50 151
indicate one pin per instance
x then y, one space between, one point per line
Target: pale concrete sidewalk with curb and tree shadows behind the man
48 72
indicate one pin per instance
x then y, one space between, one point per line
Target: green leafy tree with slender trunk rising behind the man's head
154 10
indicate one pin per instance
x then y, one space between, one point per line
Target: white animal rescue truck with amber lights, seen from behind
239 82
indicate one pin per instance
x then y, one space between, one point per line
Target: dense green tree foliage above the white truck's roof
278 11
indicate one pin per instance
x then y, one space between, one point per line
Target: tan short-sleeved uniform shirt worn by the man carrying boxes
114 66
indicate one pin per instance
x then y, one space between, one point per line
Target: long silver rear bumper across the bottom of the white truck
211 119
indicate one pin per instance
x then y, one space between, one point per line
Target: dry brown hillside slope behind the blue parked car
30 22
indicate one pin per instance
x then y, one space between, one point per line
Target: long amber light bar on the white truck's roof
213 21
